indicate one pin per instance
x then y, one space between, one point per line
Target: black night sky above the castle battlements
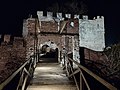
12 13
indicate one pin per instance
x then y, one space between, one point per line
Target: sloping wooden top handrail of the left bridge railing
3 84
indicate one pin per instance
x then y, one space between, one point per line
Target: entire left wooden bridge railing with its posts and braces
23 73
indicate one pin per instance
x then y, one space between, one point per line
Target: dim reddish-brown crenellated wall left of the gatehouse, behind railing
12 56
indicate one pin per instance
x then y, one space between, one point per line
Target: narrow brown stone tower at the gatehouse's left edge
29 35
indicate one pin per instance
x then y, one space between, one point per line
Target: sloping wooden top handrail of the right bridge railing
105 83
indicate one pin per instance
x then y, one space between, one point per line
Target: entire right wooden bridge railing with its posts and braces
82 77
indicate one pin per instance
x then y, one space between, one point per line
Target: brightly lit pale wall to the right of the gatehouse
91 33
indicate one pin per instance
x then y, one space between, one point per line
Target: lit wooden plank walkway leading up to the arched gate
50 76
